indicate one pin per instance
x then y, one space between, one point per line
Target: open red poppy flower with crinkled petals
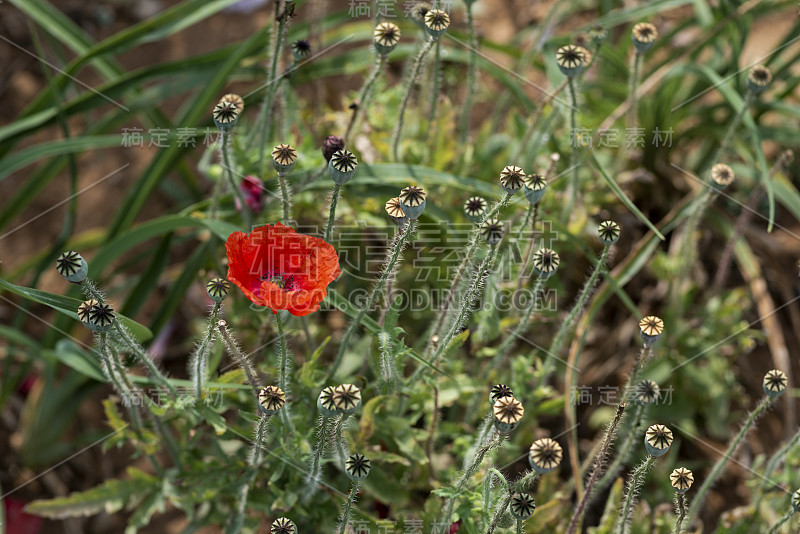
274 266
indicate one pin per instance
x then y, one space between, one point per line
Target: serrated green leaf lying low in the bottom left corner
110 496
